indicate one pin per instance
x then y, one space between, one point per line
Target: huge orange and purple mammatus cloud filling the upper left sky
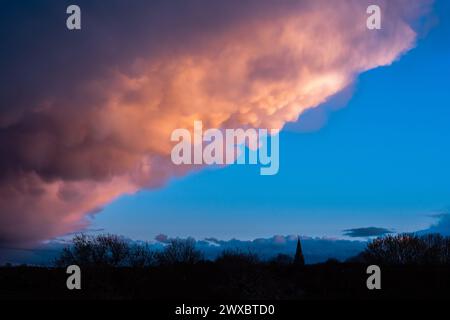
86 116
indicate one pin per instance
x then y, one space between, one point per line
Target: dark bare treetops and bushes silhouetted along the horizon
109 250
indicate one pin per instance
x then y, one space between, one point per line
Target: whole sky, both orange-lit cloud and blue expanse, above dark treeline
86 118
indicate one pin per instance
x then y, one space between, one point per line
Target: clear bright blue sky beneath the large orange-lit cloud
381 160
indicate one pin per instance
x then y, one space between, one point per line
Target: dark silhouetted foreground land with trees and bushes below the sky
411 267
